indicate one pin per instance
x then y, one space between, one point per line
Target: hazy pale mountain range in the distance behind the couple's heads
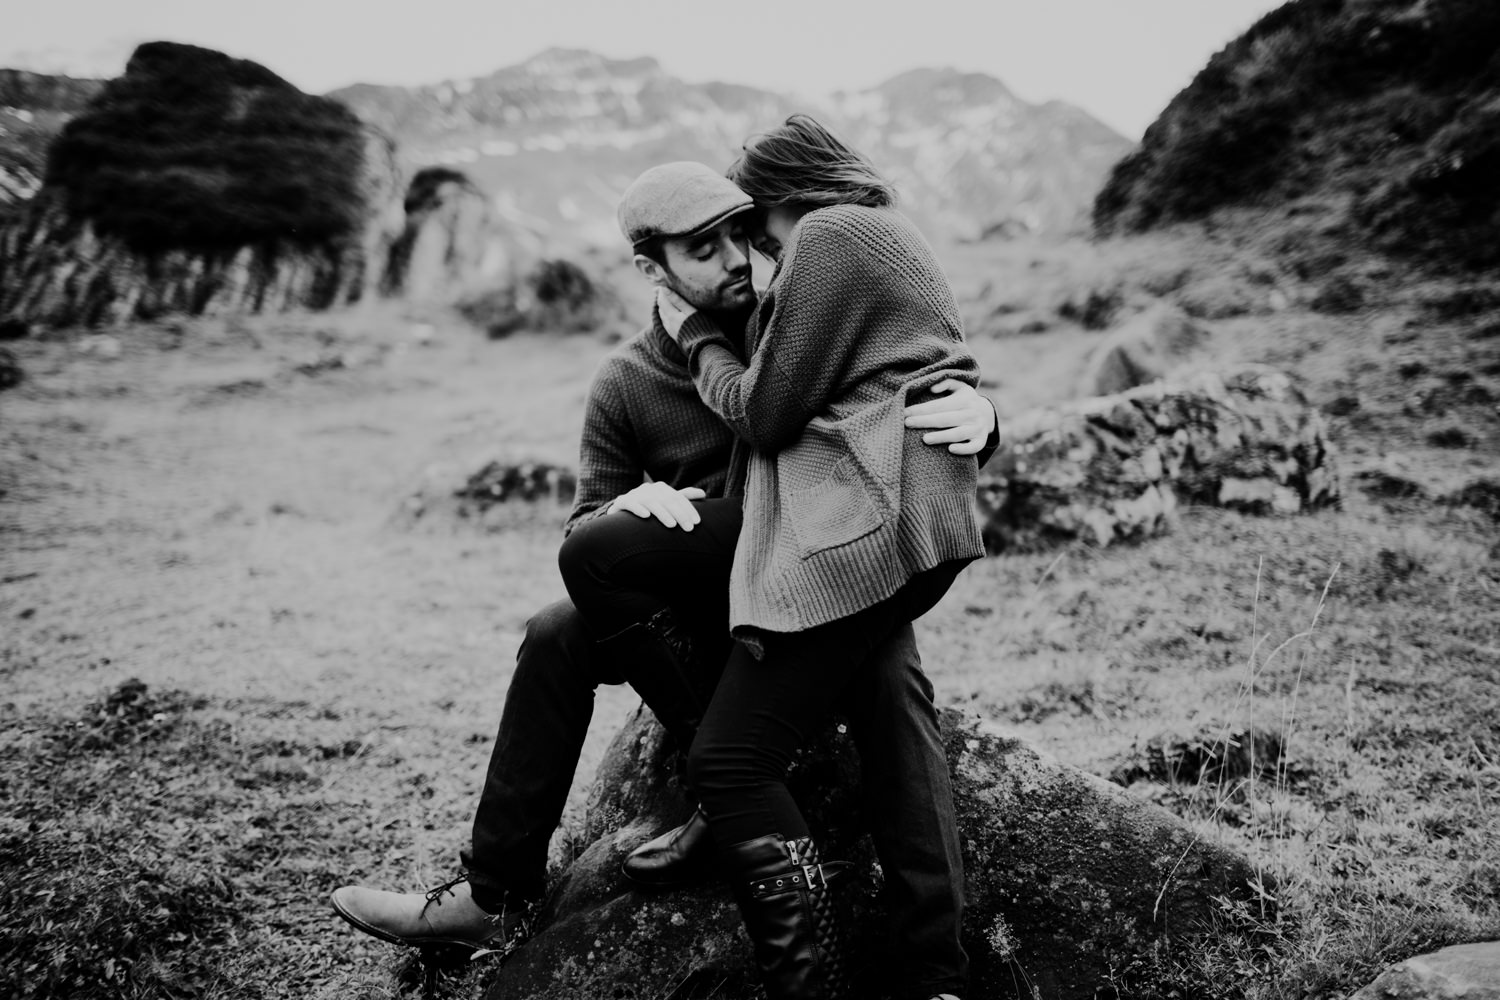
559 137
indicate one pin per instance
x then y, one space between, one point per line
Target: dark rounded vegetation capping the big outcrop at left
196 149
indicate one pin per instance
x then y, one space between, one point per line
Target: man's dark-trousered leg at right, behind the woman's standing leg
908 800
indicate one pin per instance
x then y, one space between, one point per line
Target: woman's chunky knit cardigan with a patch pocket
844 503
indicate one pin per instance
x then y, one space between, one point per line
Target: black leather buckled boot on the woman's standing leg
793 915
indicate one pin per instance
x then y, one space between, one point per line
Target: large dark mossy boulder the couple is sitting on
1067 879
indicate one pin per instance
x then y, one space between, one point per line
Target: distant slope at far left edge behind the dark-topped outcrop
34 110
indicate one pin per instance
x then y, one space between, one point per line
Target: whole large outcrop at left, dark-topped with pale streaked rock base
152 236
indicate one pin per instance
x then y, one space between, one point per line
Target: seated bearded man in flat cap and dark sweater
644 419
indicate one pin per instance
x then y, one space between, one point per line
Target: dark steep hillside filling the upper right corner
1366 122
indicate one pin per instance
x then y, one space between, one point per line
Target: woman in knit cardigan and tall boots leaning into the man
850 525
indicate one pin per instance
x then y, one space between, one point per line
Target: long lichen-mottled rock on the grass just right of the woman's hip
1115 469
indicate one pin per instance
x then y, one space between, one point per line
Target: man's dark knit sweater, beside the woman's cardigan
644 419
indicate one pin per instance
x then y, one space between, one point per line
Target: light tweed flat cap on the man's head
676 200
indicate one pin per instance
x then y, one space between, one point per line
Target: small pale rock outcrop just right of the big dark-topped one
452 241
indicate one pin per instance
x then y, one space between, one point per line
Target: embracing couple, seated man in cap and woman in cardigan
772 490
